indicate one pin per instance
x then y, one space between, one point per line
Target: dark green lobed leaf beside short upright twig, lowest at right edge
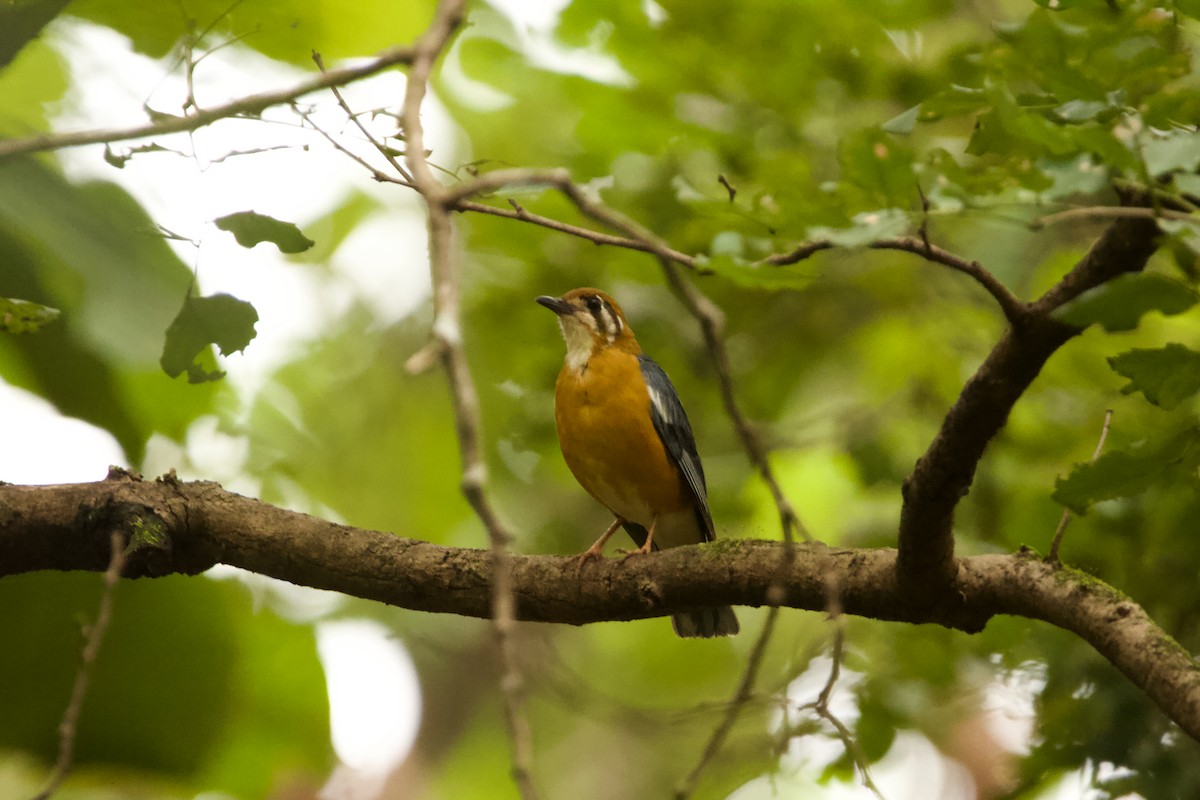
1124 474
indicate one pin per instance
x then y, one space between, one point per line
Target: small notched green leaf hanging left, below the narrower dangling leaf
219 320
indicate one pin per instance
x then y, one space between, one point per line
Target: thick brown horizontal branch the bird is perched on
69 528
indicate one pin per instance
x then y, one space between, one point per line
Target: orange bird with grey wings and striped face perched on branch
628 442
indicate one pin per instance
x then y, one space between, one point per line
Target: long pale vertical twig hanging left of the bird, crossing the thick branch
448 338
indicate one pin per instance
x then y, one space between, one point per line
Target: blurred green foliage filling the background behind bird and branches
733 131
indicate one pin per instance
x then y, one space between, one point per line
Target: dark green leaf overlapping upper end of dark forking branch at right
1119 304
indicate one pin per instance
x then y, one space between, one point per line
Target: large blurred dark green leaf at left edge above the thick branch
118 288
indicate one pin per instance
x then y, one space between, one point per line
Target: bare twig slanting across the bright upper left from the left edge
249 106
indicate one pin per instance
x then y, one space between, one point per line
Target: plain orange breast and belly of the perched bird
609 440
